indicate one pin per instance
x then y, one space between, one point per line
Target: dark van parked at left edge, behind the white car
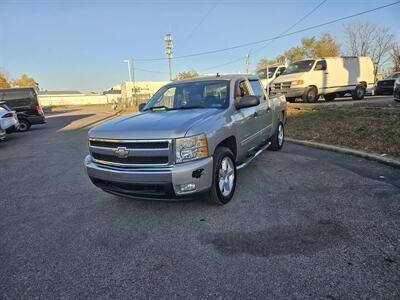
25 102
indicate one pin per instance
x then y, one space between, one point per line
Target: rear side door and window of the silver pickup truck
263 110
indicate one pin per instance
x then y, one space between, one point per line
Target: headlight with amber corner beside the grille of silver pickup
191 148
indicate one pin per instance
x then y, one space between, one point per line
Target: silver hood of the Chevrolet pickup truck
153 124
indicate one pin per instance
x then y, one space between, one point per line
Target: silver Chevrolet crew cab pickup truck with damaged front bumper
188 140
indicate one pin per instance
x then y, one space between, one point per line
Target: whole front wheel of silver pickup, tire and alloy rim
224 176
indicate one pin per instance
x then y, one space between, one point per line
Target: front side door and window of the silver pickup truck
246 119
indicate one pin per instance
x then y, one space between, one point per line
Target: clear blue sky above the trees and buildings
81 45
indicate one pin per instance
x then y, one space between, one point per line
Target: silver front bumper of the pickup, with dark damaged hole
161 183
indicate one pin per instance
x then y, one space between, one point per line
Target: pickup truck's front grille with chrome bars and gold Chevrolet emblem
131 153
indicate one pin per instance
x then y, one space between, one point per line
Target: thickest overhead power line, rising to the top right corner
276 37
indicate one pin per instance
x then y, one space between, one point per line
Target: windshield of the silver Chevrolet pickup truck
200 94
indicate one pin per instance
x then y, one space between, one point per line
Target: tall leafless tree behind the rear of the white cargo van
366 39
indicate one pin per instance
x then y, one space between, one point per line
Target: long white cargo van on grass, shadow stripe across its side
308 79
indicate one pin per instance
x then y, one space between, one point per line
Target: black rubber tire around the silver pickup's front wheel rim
215 194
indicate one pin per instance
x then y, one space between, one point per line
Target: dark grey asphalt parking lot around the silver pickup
304 223
